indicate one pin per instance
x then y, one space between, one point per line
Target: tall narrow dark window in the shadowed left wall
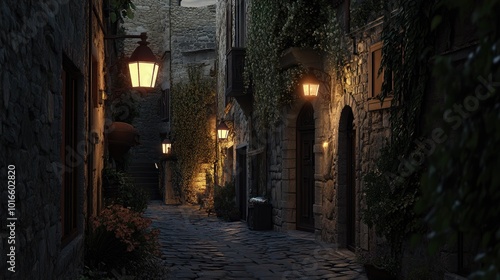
69 156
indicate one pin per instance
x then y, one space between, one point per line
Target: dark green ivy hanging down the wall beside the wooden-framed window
392 189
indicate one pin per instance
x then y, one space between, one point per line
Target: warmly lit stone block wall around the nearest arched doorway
371 128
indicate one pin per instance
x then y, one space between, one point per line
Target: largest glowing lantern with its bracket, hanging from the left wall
143 64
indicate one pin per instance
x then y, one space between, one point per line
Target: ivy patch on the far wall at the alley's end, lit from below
193 104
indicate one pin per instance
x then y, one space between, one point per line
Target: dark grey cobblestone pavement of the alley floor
197 246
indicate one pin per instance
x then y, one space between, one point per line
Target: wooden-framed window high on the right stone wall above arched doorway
375 80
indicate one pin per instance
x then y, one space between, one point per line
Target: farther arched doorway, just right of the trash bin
305 168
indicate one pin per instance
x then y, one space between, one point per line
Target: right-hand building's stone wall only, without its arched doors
349 92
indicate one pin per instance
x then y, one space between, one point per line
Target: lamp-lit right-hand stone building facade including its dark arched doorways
344 129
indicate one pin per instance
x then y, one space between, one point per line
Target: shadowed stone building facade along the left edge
51 134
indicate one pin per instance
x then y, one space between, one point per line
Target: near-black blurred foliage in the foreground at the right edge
461 186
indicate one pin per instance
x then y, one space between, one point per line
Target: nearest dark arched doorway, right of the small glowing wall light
346 196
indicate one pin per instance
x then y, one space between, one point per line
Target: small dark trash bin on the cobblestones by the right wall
260 214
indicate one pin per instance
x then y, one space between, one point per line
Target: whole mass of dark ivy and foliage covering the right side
459 190
